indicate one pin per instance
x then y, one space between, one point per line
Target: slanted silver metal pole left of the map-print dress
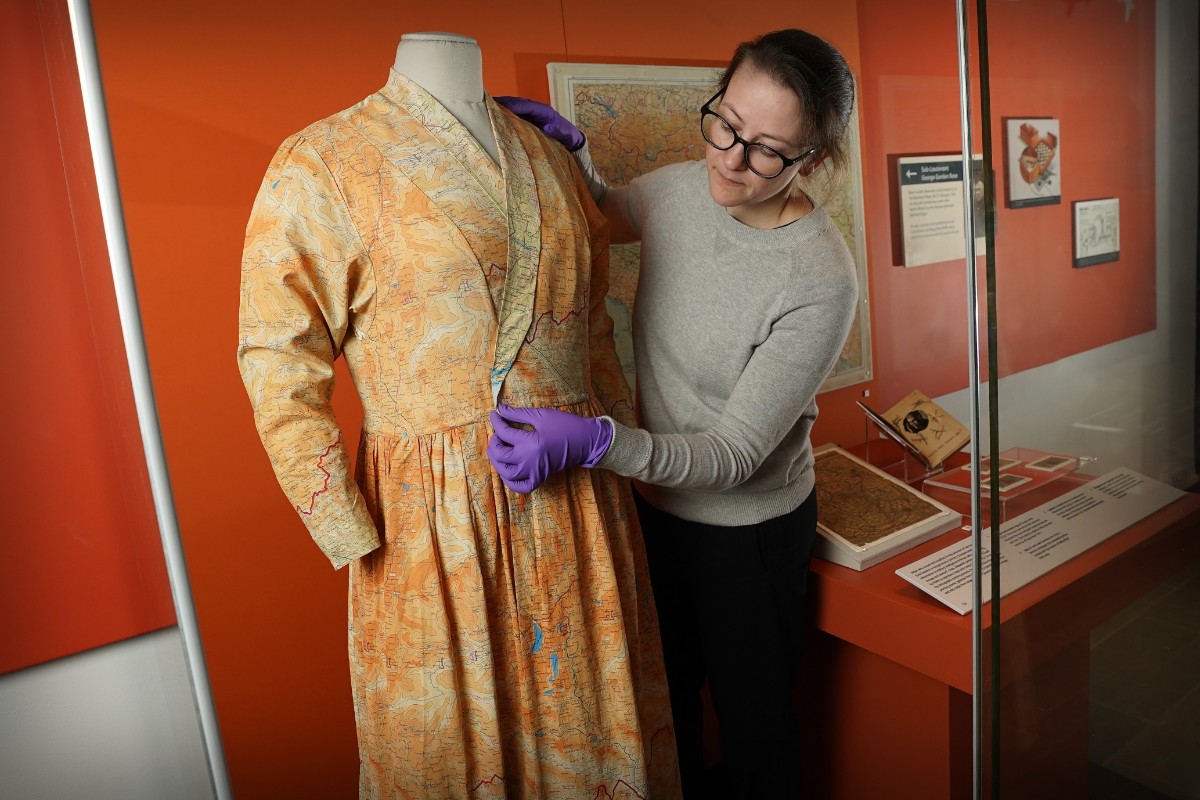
143 390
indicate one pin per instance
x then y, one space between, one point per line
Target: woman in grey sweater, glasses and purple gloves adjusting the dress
747 293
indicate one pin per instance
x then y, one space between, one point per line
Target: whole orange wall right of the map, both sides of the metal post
1077 62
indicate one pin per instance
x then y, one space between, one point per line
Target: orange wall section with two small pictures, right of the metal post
1090 68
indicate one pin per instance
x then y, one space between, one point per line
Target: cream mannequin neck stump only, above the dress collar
448 67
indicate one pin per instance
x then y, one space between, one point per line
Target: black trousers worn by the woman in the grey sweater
731 611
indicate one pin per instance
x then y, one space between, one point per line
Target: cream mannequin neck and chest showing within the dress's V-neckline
451 68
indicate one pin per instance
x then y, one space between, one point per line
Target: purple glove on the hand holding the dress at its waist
526 459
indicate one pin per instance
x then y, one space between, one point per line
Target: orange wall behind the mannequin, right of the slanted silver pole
200 99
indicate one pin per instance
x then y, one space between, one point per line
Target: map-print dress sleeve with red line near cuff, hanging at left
302 263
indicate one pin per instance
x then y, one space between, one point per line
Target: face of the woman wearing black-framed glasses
760 111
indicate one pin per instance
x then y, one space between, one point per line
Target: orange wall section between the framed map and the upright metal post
910 105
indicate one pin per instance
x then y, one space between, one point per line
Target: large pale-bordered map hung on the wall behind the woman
641 118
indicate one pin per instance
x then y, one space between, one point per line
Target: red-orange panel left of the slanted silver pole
81 561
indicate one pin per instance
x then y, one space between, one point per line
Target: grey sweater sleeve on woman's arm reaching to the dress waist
776 389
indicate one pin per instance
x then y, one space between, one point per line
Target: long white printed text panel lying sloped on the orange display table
1042 539
